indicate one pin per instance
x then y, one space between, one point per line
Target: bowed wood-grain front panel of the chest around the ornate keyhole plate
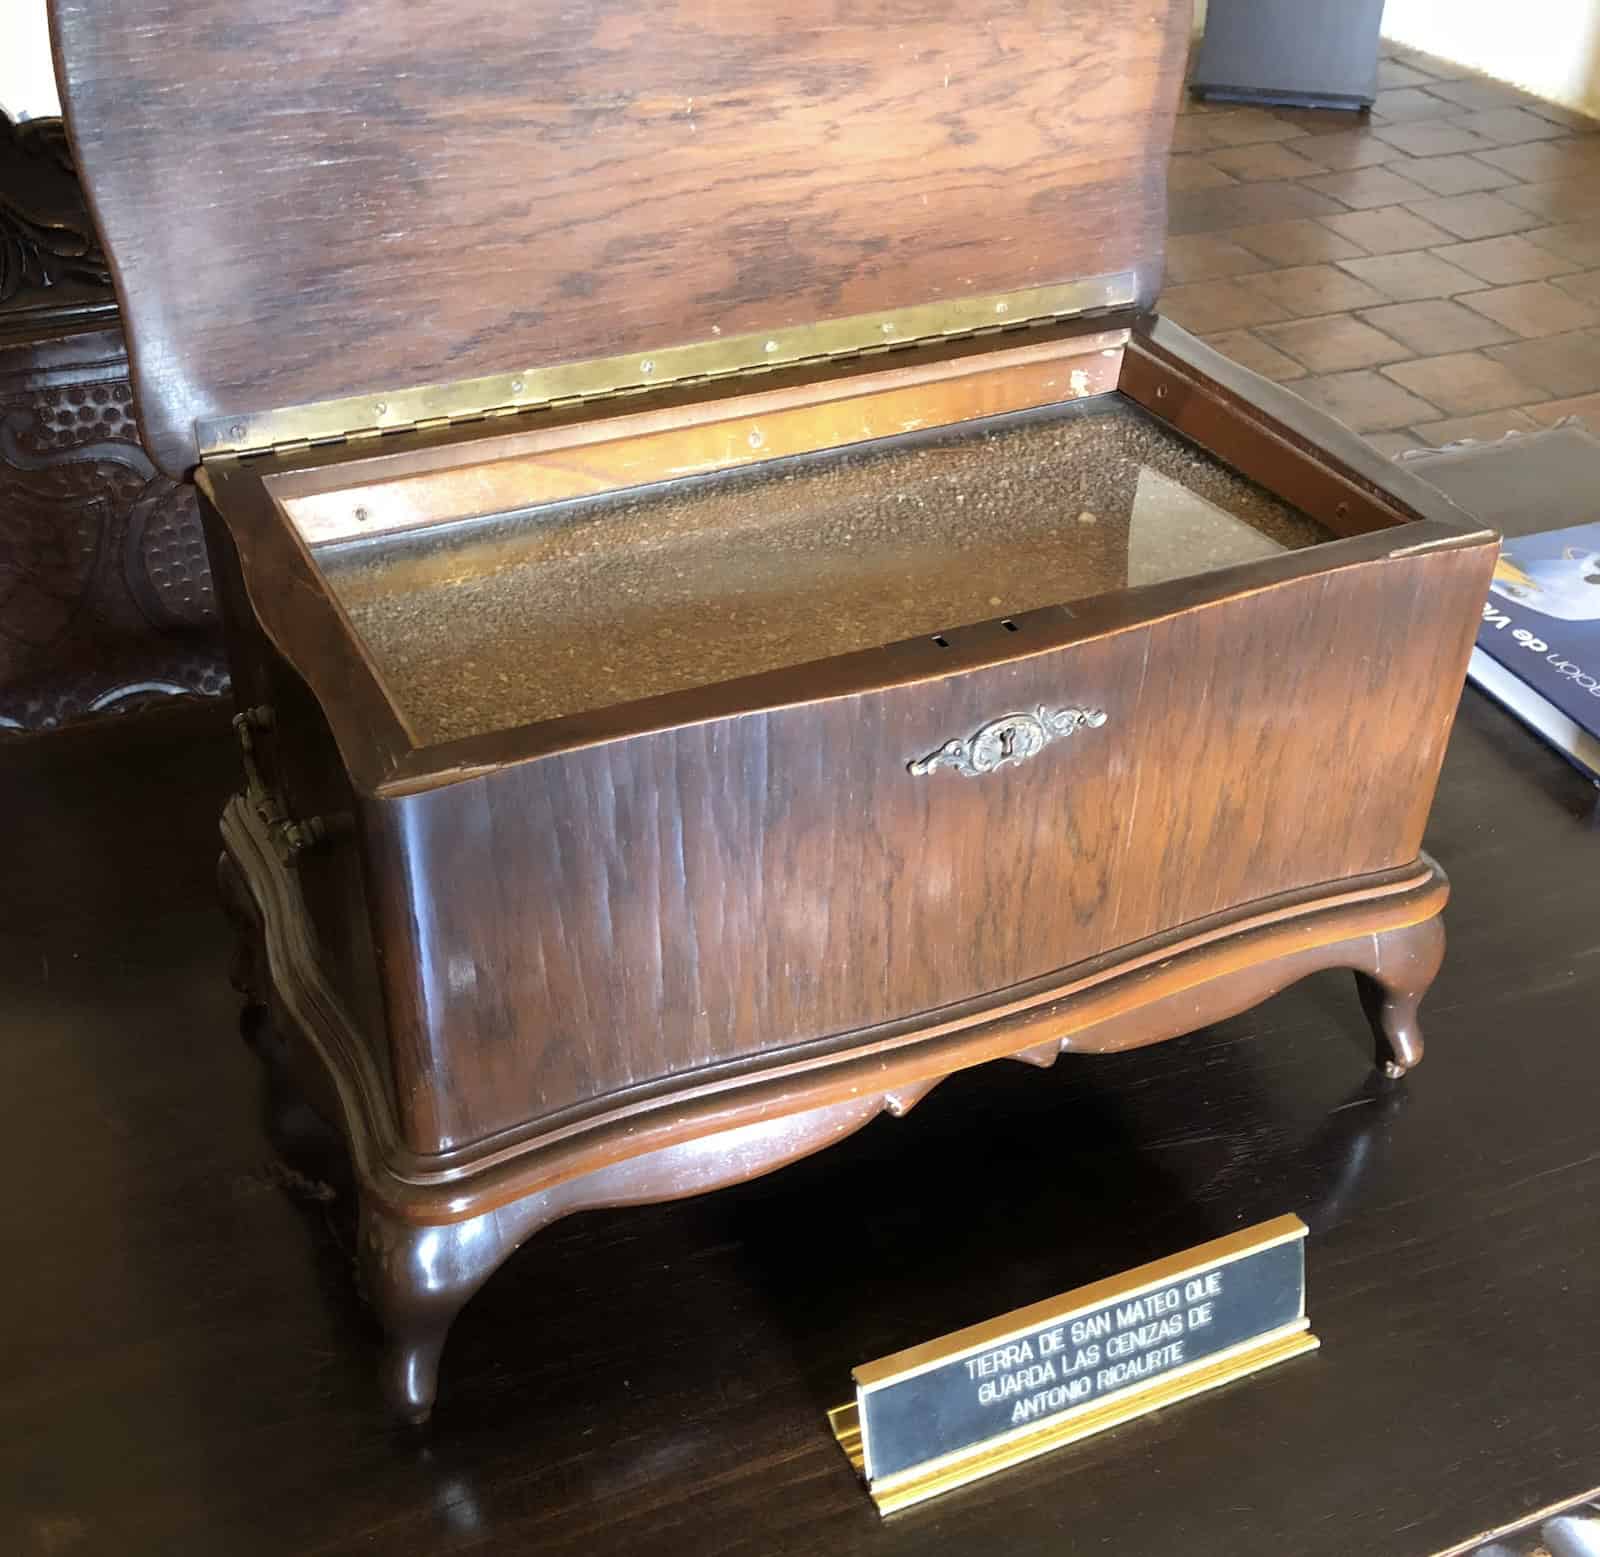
735 887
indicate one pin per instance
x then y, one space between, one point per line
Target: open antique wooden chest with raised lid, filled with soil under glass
738 604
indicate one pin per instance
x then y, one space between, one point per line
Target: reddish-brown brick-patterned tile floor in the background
1428 273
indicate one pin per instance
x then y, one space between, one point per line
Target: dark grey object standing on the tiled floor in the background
1305 54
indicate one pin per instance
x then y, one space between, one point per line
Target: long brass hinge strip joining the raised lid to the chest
577 383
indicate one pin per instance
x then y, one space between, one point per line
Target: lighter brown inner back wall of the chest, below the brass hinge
609 454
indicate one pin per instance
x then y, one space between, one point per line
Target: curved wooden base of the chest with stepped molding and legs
434 1230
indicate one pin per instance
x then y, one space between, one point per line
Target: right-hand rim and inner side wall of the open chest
1279 439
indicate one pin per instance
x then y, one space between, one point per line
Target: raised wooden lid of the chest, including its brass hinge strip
338 217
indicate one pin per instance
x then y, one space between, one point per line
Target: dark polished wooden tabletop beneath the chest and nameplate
188 1369
